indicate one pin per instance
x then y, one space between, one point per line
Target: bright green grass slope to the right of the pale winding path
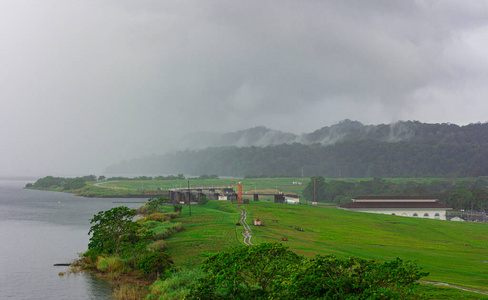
452 252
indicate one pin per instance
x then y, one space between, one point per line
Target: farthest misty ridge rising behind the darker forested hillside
345 130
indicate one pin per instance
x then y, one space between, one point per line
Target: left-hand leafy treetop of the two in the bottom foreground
244 272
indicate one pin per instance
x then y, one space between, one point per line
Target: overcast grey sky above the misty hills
85 84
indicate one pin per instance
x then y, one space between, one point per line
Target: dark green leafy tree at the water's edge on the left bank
114 229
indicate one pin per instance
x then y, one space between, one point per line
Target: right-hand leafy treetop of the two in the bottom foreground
354 278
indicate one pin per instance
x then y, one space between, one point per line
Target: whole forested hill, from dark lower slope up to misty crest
348 149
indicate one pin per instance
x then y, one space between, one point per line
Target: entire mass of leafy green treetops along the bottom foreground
271 271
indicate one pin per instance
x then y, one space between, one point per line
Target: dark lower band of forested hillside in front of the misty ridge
358 159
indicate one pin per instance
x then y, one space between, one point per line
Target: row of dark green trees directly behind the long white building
460 195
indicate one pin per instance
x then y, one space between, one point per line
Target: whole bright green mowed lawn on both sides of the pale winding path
453 252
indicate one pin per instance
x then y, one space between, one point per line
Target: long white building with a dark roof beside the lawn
409 206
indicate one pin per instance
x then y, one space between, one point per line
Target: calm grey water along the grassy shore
37 232
